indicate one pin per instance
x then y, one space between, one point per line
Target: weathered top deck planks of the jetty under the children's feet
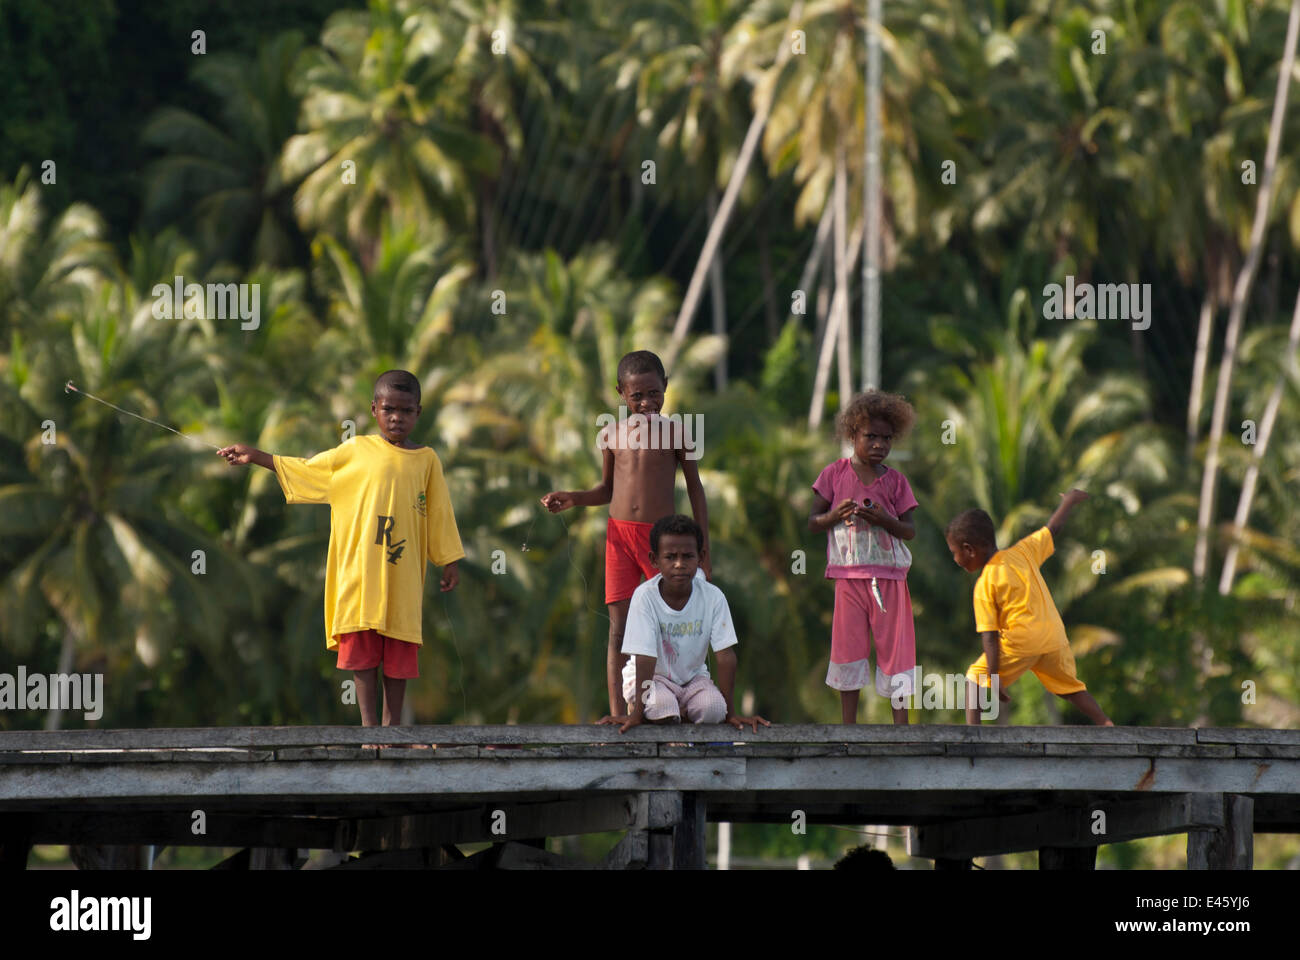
506 743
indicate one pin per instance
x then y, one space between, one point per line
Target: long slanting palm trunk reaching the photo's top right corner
1241 297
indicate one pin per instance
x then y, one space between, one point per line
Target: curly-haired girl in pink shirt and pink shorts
865 509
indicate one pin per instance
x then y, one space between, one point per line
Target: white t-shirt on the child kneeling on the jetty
678 639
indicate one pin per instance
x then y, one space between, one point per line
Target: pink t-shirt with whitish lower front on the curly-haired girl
859 550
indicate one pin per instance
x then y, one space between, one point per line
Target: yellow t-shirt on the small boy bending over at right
1012 598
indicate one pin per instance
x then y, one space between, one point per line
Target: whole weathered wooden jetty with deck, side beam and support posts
964 793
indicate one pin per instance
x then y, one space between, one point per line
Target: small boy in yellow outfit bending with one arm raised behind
1015 615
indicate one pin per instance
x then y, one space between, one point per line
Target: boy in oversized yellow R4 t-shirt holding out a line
391 514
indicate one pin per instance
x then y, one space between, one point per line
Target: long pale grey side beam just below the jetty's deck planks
813 776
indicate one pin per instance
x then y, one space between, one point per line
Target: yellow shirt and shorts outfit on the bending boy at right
1012 599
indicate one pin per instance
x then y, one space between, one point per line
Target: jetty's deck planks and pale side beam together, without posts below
284 764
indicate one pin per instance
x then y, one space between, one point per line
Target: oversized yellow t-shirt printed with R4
391 514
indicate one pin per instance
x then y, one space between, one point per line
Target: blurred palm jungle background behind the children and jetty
506 196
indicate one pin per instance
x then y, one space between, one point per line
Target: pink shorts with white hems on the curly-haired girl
883 609
